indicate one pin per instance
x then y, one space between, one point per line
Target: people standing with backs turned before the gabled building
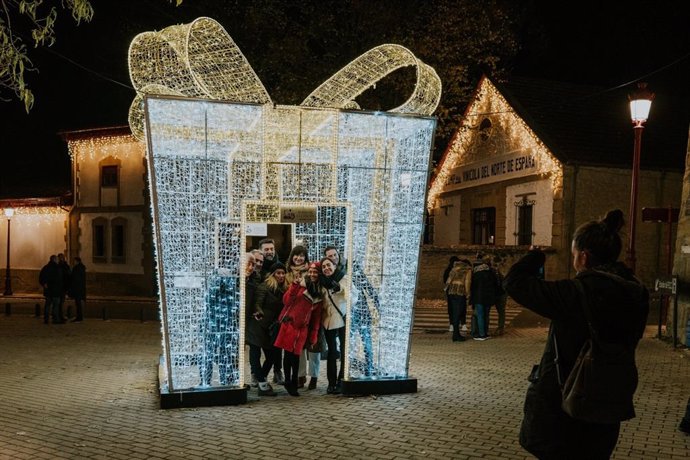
479 285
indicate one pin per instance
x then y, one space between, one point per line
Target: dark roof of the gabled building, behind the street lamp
590 125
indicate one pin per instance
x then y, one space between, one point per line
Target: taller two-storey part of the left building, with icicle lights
109 222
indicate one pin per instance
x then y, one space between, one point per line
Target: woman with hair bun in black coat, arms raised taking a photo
619 305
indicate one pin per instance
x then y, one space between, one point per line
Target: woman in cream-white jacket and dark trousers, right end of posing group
333 322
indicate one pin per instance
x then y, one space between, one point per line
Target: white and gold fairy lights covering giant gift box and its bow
215 167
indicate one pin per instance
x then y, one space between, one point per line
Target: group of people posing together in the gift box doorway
288 308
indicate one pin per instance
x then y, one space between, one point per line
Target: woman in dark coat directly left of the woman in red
267 307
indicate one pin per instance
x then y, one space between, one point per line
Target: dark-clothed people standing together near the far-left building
58 280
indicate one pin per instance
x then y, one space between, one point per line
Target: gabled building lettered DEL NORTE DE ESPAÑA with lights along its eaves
517 173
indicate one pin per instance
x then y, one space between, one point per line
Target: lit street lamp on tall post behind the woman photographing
640 103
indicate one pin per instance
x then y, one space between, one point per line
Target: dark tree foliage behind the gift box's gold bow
461 39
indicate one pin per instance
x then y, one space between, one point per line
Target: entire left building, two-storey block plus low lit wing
104 219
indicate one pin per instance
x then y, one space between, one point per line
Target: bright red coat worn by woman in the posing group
302 319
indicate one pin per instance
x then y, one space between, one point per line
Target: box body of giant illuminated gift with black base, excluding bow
219 170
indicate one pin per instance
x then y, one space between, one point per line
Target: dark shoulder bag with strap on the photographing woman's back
601 385
